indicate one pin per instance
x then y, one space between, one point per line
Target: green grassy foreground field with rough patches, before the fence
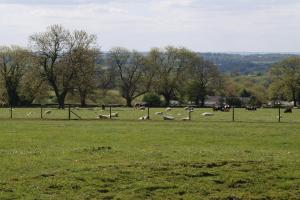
130 159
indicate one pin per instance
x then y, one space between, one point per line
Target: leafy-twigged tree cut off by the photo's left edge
14 63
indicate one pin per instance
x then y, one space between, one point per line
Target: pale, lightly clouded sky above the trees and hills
200 25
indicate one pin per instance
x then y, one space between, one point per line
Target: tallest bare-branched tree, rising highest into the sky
52 51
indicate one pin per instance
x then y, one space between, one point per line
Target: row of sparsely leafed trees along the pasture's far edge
61 64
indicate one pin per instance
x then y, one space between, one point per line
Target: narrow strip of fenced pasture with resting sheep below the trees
117 112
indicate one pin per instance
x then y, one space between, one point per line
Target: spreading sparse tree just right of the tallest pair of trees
134 74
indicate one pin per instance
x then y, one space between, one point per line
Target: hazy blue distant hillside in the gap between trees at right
244 63
